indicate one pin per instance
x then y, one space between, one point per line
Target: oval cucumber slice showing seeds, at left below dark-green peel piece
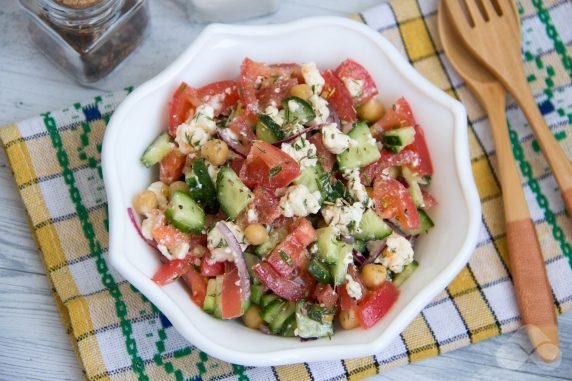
184 213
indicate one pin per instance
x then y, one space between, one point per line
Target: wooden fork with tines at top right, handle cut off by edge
491 32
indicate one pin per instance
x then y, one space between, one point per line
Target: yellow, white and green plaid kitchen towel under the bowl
119 335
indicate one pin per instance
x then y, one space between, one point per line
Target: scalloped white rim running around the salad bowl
304 353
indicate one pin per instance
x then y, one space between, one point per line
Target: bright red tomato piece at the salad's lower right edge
376 304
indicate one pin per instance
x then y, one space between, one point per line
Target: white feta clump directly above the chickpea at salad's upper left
195 133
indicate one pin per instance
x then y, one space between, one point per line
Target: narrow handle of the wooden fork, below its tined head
555 155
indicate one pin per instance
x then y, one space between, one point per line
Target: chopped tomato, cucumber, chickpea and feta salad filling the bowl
288 198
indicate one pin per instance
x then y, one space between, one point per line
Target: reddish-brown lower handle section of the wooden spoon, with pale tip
532 289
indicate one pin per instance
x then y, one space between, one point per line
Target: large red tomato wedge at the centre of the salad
268 166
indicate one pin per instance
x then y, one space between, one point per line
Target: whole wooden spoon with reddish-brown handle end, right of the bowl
527 264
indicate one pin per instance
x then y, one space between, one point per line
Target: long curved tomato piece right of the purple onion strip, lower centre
289 289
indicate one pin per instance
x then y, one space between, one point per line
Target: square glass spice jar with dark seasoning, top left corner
86 38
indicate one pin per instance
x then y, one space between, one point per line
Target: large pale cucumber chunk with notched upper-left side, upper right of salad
361 154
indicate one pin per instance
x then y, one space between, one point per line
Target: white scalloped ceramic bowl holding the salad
216 54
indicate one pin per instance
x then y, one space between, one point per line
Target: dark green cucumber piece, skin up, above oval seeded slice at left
201 186
